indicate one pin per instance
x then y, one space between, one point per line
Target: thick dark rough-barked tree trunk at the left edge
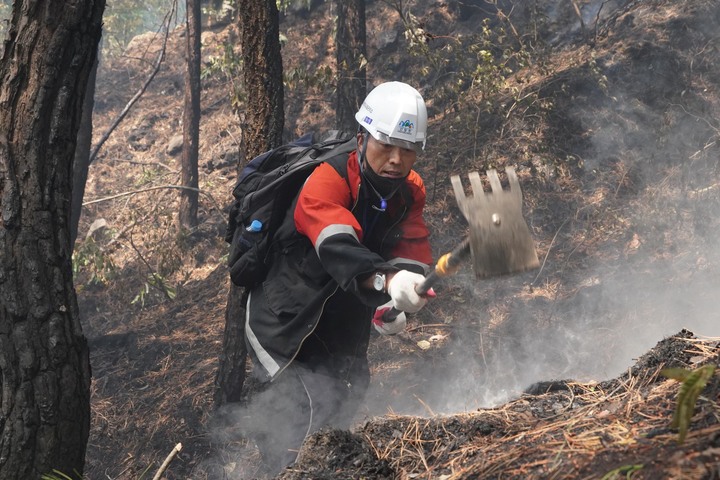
44 361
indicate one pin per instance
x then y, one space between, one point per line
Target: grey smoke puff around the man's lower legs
268 430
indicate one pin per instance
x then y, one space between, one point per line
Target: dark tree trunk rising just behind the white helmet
350 58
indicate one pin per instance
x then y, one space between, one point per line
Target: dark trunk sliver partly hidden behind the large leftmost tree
81 163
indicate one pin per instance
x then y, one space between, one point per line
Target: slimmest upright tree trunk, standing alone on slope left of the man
191 120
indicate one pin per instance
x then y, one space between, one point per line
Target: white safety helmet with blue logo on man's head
395 113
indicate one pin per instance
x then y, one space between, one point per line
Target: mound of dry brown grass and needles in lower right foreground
578 431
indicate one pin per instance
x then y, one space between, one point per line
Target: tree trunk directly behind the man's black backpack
262 130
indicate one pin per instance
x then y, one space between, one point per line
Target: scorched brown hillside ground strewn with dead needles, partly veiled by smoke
553 373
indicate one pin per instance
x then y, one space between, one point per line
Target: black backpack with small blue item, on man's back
262 197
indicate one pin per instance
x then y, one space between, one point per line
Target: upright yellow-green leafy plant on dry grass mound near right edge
693 382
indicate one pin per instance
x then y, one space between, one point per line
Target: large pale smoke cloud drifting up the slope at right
650 150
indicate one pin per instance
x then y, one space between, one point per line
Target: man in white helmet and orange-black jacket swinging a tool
356 241
